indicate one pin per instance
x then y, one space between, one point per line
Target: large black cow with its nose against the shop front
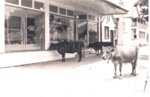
68 47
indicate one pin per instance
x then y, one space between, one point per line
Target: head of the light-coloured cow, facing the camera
107 52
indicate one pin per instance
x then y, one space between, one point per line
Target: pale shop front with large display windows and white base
30 26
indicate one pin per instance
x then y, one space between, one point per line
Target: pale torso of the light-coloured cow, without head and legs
126 53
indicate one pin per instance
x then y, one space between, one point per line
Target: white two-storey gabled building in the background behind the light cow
134 29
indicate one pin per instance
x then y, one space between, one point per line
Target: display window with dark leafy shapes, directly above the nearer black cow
61 28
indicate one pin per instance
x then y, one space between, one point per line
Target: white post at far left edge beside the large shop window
2 33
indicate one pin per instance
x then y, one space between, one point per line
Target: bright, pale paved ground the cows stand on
90 78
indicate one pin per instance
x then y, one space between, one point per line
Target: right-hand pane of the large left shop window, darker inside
35 27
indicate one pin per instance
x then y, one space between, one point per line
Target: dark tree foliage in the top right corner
143 6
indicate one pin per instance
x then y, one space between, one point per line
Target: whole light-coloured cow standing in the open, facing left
121 54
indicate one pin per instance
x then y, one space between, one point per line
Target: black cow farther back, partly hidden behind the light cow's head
98 46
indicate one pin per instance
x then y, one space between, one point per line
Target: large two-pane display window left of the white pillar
24 29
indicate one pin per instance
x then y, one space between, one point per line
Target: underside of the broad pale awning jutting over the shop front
96 7
